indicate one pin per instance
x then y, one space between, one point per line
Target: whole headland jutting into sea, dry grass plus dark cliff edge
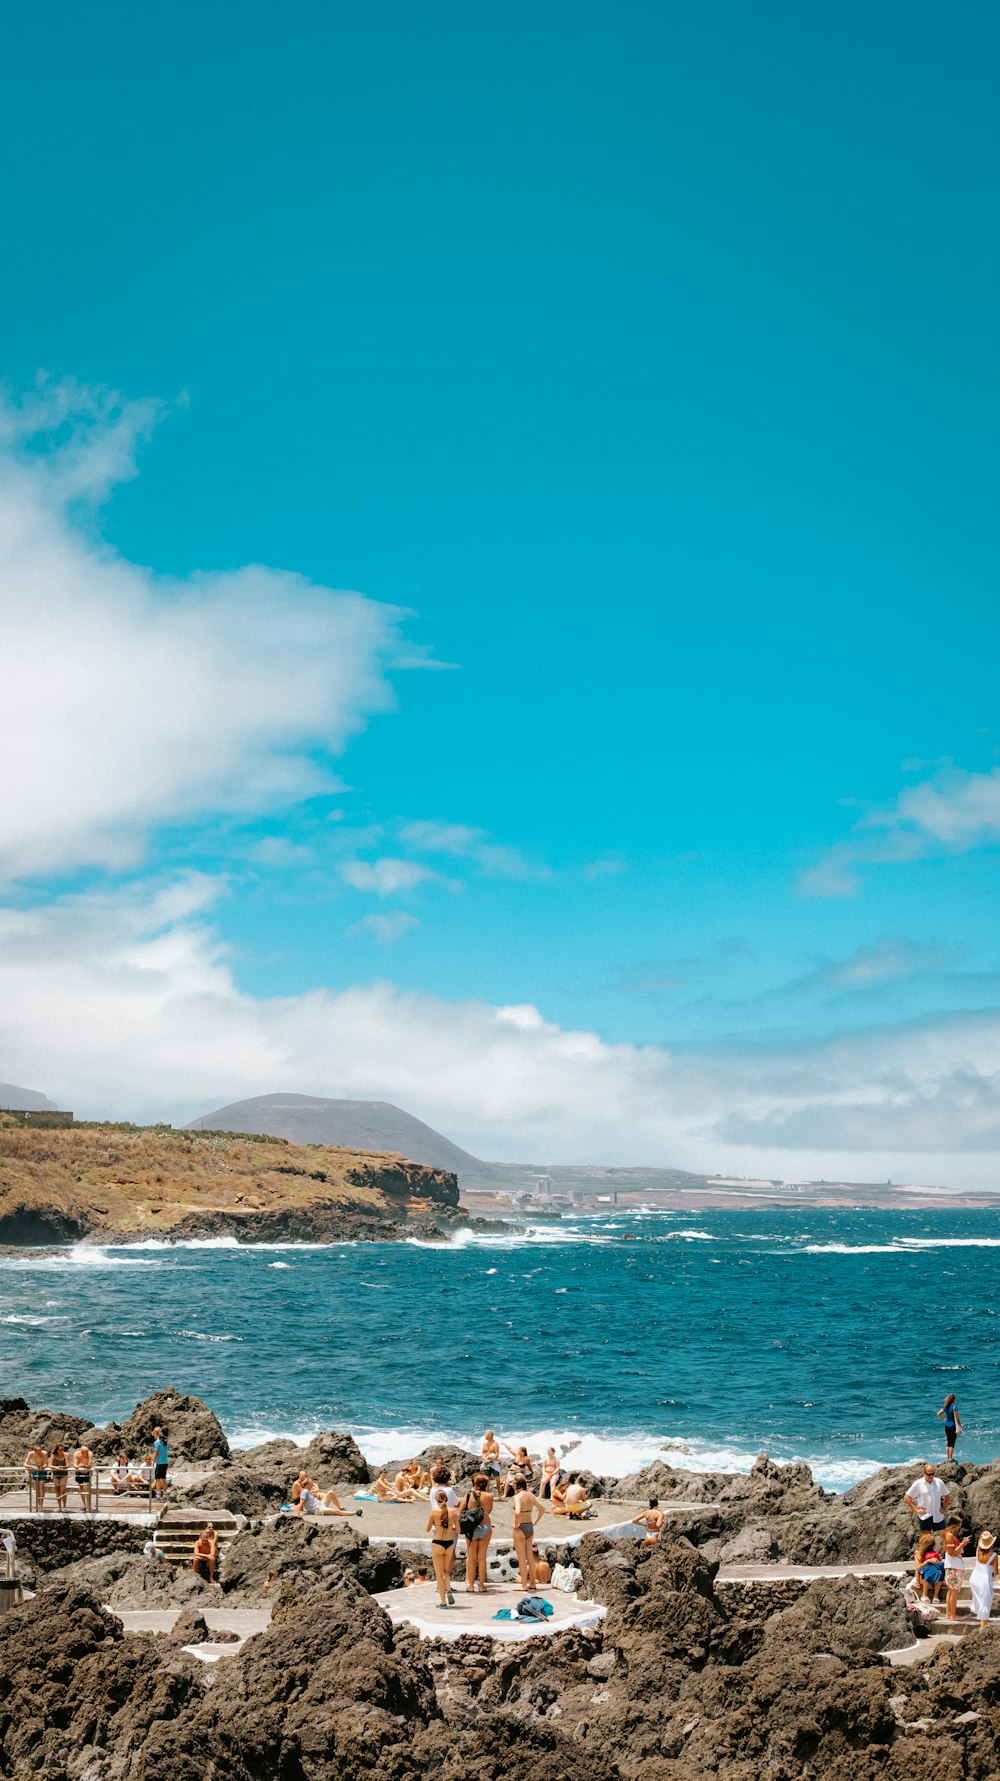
129 1182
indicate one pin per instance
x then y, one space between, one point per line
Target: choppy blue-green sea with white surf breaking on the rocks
816 1335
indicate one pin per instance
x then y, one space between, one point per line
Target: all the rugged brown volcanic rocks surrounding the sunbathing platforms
685 1677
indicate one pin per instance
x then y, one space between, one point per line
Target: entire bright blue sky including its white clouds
646 361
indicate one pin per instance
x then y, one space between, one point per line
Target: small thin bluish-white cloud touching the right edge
951 813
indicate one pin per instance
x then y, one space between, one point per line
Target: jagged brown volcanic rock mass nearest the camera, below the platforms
675 1686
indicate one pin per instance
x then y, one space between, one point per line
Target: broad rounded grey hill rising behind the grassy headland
356 1125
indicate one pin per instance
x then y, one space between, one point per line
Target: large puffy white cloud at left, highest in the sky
131 701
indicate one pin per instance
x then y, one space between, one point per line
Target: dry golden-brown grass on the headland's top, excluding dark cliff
133 1178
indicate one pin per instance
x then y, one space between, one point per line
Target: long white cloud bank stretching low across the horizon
124 1005
